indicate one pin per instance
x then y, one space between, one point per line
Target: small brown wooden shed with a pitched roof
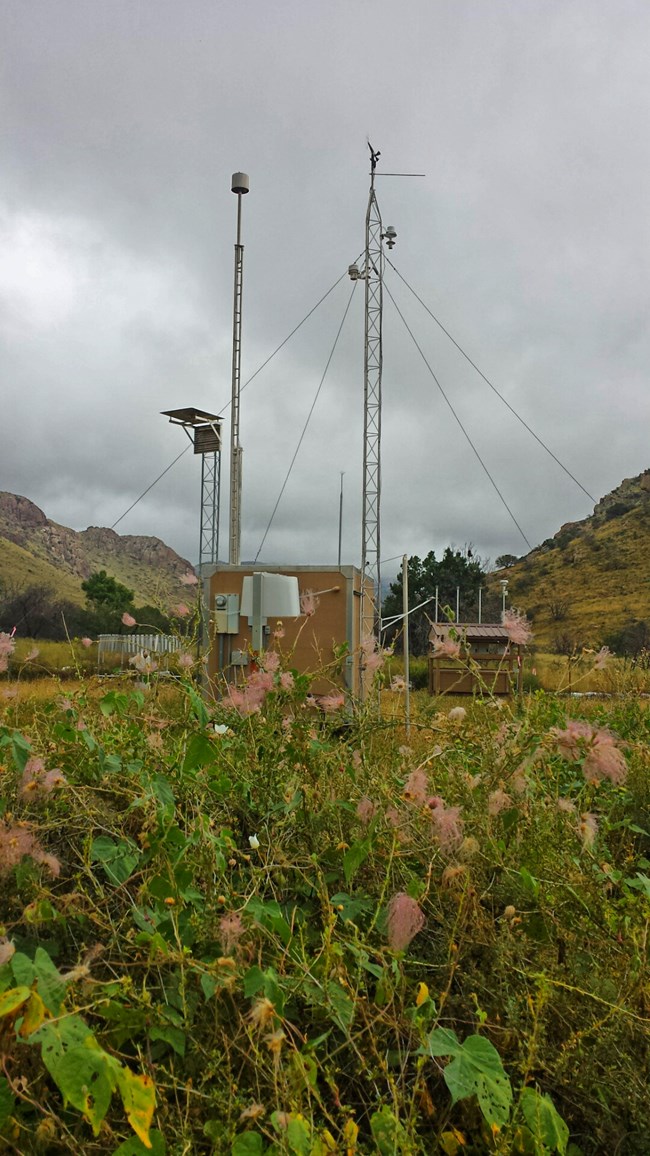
489 661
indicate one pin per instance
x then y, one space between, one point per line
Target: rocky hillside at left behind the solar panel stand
35 551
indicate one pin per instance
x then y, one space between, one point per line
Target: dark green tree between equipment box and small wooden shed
456 570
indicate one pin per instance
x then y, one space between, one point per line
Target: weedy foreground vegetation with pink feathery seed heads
274 925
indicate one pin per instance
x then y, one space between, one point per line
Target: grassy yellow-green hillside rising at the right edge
593 579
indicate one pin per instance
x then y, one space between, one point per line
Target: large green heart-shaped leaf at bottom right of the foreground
476 1070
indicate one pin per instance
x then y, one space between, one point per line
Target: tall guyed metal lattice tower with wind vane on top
371 557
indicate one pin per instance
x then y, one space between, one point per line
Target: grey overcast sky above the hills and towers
122 123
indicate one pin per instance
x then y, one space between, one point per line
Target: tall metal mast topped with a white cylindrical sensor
240 187
